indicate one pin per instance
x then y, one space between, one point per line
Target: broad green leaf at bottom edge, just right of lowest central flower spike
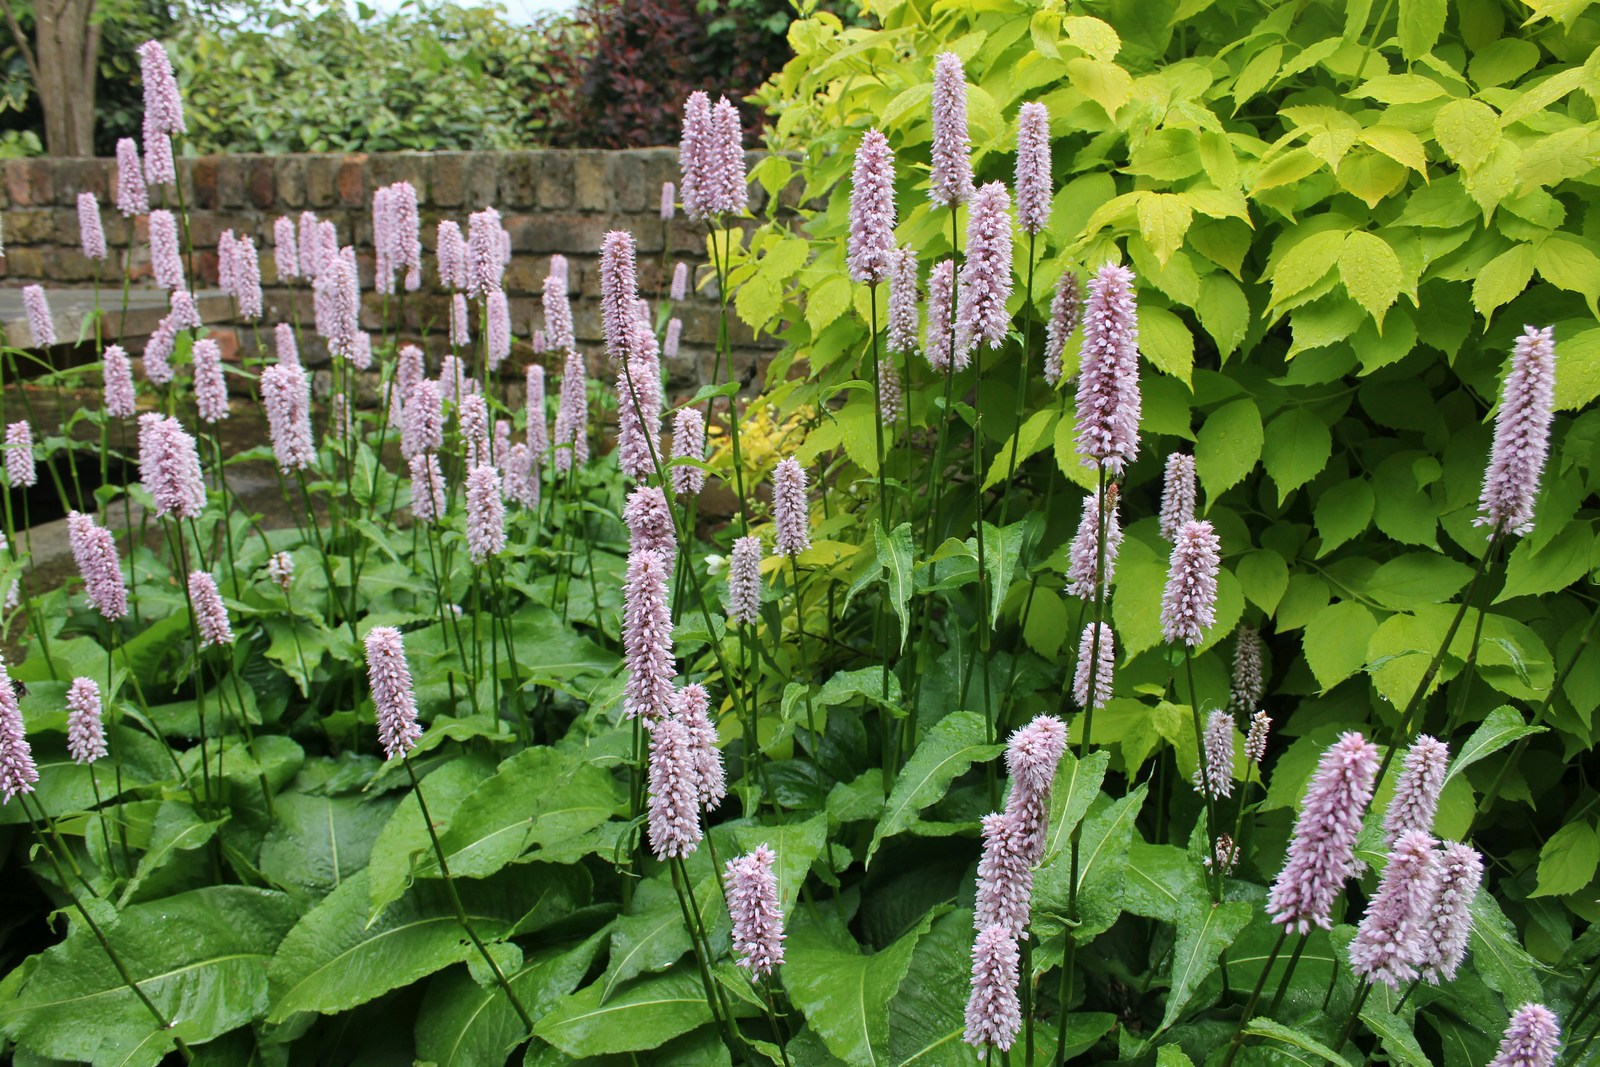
844 994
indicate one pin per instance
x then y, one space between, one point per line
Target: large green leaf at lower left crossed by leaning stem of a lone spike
335 959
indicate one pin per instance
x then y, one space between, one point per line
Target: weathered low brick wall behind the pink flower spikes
551 202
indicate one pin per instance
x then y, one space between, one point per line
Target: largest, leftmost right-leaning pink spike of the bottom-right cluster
1322 852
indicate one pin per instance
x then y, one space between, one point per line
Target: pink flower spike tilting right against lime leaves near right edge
1522 436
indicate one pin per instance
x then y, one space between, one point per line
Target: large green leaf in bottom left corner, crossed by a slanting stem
201 957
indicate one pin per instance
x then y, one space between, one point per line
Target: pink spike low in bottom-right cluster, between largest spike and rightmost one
1390 945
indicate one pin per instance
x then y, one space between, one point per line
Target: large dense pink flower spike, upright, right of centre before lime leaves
1110 374
